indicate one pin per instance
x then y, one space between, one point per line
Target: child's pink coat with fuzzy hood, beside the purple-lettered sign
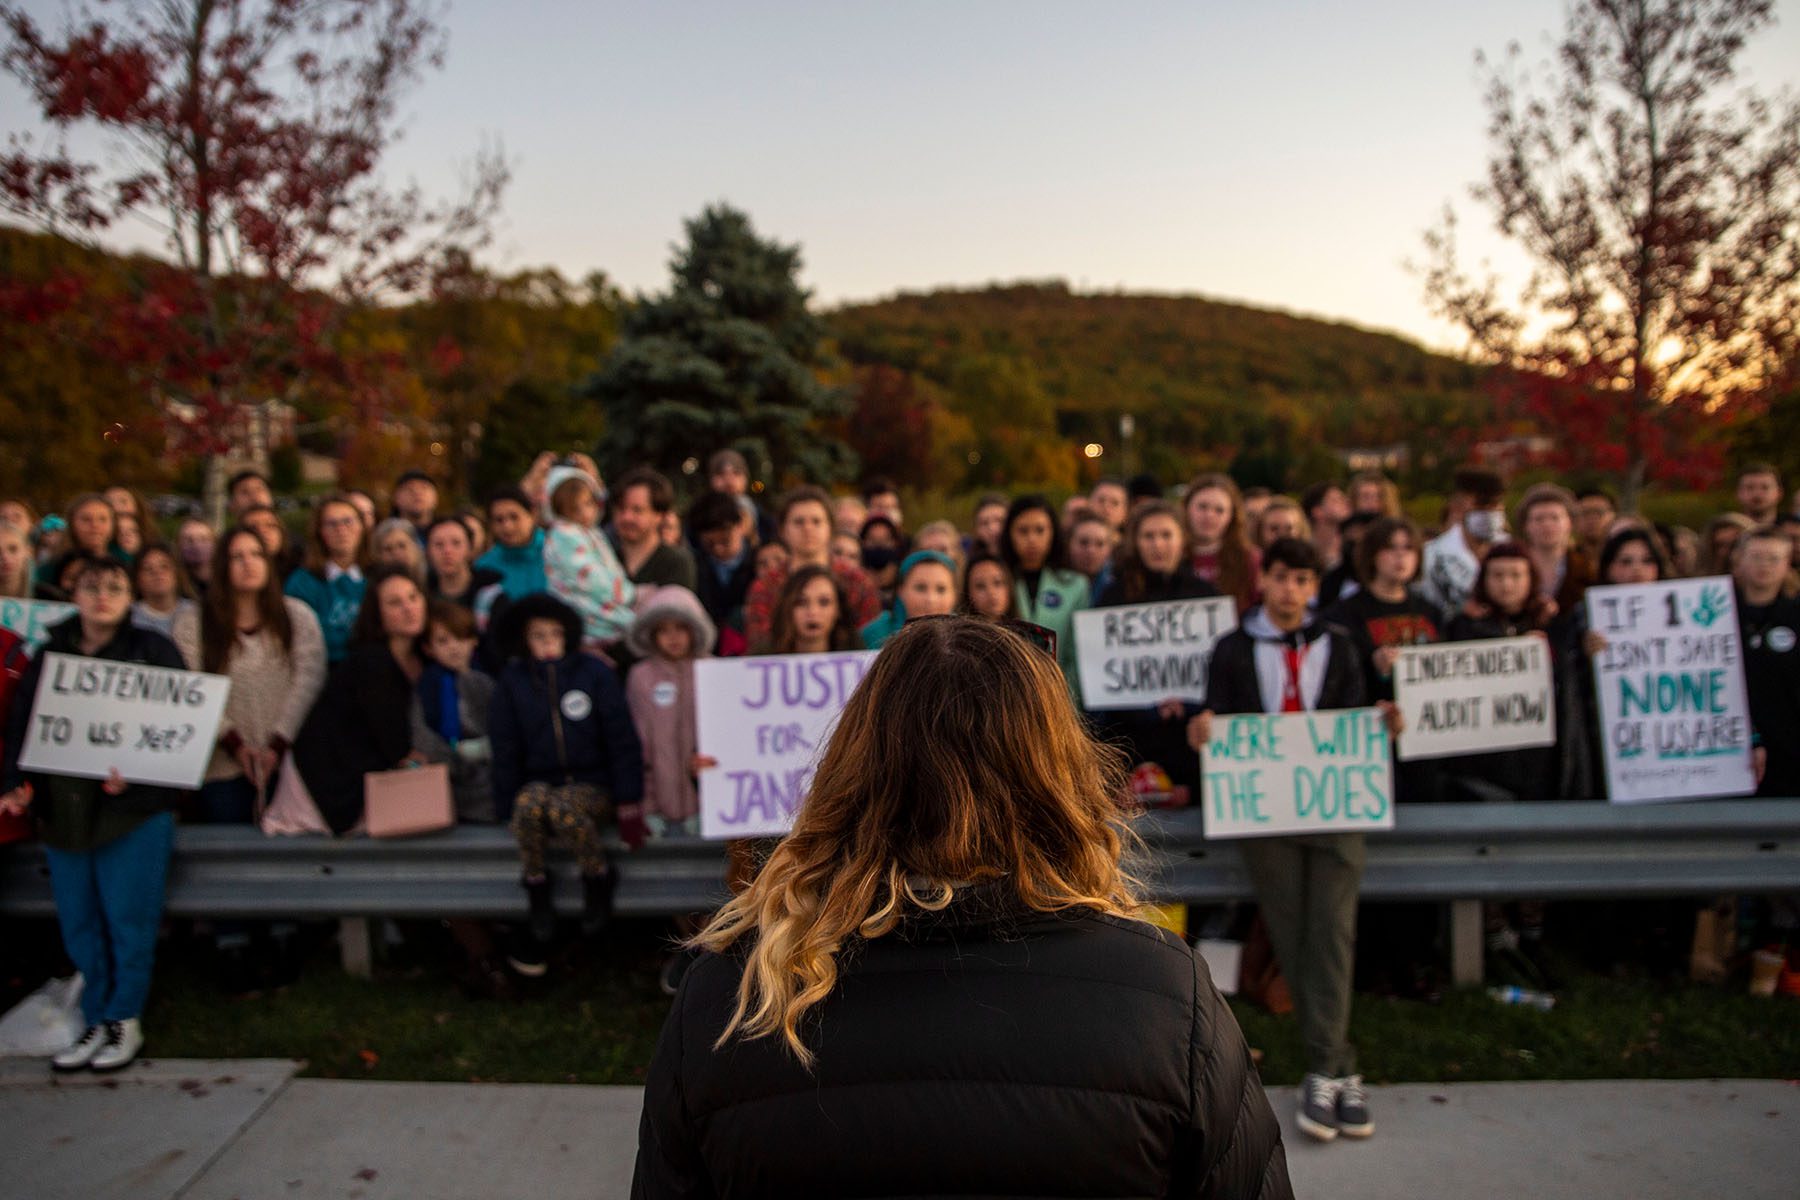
660 694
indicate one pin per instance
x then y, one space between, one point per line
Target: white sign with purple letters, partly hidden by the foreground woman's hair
766 721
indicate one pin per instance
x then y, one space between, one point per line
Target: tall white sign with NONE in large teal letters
1675 719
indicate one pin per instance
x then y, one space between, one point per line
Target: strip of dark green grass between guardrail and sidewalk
597 1019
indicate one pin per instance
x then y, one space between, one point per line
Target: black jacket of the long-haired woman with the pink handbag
361 722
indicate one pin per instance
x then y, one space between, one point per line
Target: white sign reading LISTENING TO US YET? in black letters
152 724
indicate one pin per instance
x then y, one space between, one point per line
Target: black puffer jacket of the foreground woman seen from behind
975 1053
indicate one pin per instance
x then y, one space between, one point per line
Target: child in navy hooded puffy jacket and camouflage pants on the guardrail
564 755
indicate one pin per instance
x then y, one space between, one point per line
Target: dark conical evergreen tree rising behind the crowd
724 361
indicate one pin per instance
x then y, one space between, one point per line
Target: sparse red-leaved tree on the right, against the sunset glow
1657 208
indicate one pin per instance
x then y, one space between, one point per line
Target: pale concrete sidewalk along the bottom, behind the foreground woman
215 1131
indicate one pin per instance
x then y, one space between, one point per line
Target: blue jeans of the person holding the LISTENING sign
109 902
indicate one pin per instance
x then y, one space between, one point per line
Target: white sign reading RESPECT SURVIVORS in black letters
1138 656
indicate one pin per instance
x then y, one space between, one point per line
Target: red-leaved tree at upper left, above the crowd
249 134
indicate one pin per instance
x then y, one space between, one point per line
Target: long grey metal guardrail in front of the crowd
1461 854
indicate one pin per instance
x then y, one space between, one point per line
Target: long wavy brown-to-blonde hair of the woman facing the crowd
958 760
